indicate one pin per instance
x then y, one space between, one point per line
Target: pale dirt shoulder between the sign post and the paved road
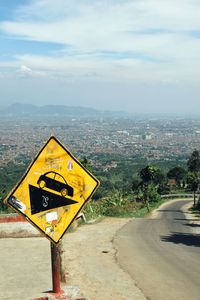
90 265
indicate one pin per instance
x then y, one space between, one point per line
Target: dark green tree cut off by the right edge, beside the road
193 179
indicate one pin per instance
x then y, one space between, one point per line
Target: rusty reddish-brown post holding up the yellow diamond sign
55 264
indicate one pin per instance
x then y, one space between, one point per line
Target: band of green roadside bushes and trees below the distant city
125 196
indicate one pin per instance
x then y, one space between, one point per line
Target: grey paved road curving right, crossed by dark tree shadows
162 254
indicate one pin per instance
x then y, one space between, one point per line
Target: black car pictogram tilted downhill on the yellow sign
56 182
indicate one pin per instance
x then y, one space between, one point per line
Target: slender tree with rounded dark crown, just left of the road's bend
148 176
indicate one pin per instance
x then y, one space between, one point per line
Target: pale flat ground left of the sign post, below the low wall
25 270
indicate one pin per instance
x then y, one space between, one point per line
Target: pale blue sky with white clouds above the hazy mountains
139 56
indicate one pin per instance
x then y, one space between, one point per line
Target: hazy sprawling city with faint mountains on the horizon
90 134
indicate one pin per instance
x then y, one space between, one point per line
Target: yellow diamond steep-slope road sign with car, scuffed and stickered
53 190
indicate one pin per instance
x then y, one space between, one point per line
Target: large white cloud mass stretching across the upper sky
141 40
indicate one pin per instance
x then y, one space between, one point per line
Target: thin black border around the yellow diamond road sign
26 173
